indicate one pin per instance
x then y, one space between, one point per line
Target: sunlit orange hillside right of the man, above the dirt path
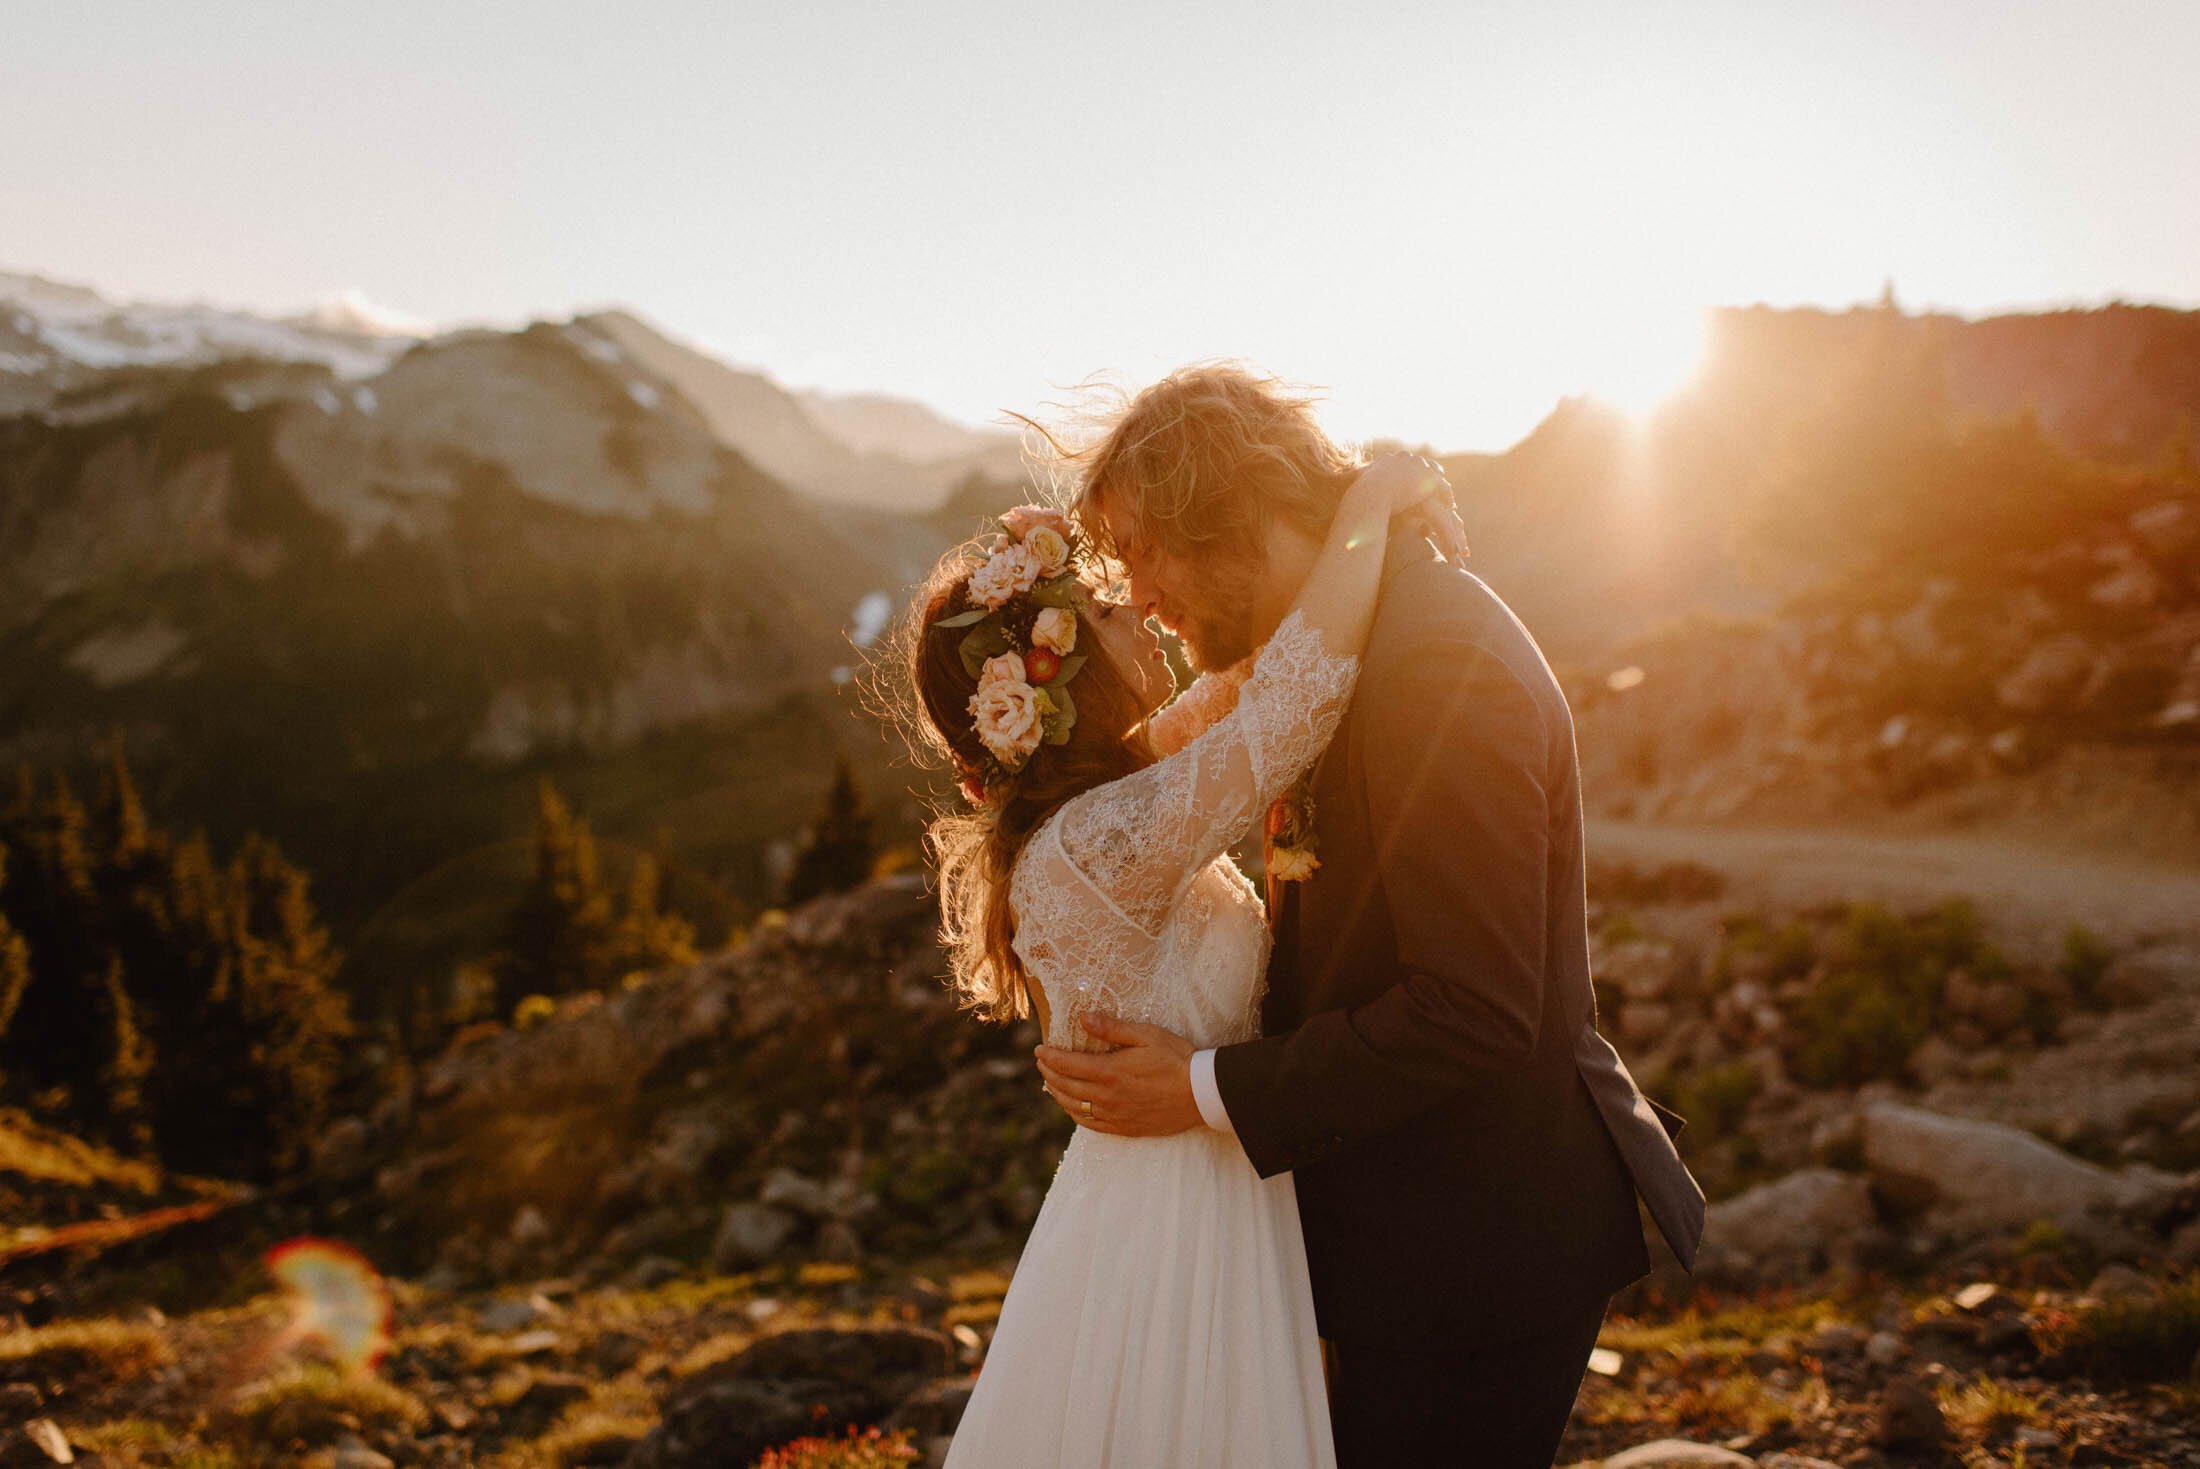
1880 568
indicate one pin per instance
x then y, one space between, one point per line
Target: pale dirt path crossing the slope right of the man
2025 894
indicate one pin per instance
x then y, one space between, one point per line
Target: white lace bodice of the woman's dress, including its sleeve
1125 901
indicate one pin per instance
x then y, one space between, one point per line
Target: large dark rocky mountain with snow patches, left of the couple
364 606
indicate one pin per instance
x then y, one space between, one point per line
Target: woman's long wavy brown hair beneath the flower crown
927 694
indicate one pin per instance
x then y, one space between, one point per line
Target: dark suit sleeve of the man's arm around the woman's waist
1451 753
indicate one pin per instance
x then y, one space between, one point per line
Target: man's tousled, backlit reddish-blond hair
1202 463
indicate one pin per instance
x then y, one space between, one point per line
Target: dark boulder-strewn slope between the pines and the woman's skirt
808 1094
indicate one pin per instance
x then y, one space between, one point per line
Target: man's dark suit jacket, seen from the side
1464 1142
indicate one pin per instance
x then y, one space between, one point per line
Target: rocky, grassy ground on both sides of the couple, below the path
1955 1160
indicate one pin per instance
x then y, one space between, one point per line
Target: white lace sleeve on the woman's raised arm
1138 841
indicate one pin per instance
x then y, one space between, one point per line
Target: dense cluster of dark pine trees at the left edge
159 999
